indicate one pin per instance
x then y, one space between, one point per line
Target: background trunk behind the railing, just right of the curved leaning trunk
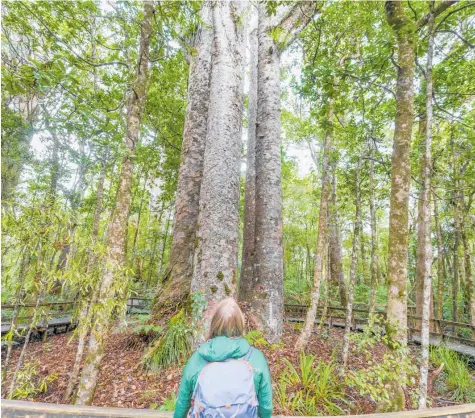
336 267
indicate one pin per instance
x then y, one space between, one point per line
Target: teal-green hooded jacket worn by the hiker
219 349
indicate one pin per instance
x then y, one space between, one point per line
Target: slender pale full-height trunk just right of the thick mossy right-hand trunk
424 245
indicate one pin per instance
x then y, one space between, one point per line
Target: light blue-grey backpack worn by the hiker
225 389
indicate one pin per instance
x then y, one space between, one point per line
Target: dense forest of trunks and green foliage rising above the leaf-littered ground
165 149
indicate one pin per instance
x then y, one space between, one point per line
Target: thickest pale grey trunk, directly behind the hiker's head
215 267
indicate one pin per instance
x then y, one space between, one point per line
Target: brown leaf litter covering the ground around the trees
124 383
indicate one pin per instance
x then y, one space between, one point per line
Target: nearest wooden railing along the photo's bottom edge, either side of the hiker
22 409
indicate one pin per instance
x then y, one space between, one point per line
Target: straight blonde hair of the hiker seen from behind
227 320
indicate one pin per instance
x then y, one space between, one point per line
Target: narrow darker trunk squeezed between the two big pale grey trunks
246 284
